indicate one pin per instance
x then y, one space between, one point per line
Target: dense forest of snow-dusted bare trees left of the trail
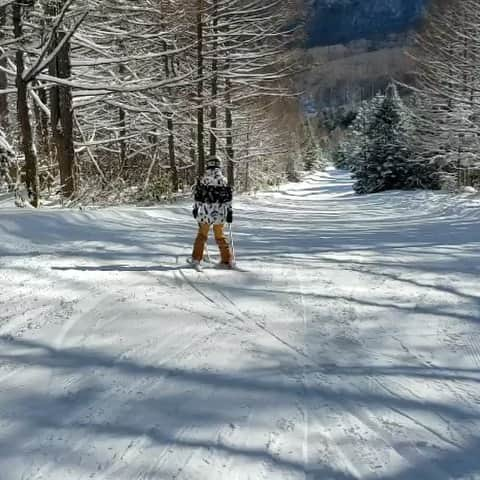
109 101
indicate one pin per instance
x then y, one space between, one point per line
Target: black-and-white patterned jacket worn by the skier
213 199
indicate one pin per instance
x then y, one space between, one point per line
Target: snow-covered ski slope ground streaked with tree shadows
349 348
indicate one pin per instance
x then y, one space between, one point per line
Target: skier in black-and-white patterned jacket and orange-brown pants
213 206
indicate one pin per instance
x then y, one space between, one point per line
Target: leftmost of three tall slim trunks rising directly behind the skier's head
200 82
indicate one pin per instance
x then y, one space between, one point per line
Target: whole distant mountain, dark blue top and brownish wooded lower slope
355 47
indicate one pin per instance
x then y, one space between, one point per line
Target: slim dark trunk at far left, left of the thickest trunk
23 111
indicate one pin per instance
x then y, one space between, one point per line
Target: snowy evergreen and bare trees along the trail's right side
429 138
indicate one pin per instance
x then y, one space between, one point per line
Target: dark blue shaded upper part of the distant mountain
342 21
